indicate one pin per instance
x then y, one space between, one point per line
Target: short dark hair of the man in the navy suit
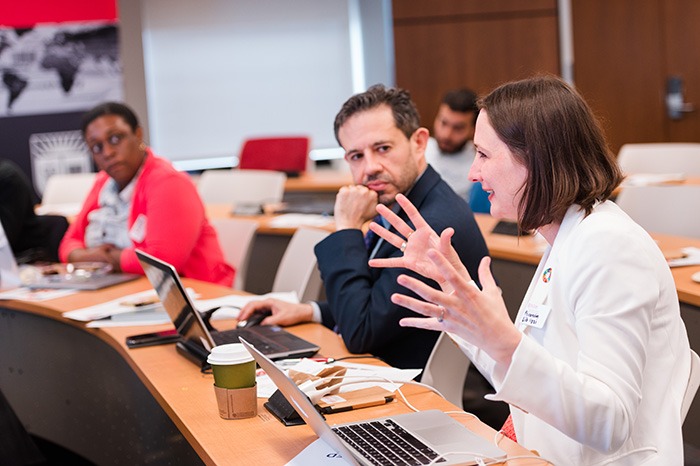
399 100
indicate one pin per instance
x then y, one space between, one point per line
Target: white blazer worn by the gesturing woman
601 371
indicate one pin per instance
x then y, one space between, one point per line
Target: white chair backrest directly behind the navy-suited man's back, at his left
297 270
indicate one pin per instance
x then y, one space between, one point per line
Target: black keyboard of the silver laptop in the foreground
386 443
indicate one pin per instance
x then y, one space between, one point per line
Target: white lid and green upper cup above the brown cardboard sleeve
233 366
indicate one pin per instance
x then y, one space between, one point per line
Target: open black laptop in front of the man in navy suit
196 338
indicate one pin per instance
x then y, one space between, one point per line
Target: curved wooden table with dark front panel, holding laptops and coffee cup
82 388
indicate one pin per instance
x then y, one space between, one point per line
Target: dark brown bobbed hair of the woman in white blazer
552 131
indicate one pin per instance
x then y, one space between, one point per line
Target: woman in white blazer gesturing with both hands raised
597 361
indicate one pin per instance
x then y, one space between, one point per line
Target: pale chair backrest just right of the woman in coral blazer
236 238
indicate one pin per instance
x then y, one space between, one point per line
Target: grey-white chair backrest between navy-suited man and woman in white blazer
446 369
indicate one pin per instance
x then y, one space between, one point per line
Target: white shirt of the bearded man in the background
453 168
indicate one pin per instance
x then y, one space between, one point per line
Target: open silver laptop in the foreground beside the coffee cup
414 438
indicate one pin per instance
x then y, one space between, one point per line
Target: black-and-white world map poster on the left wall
58 67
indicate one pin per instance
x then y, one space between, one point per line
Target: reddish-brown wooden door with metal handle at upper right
624 53
